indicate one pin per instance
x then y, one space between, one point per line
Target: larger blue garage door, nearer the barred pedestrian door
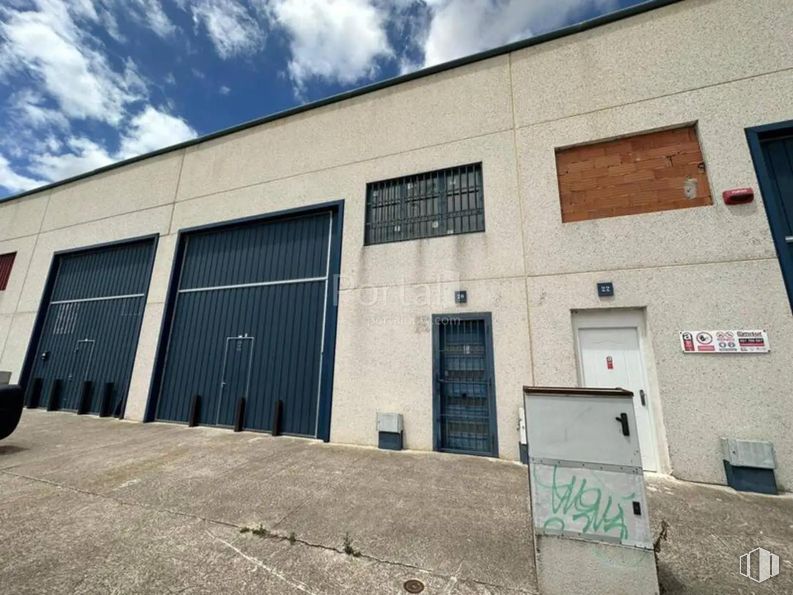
248 324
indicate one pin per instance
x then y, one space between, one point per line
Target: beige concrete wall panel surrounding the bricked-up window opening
654 239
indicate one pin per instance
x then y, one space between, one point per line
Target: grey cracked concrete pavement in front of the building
93 505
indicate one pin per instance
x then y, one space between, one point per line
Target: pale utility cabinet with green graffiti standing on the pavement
589 510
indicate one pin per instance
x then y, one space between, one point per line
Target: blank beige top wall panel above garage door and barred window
421 113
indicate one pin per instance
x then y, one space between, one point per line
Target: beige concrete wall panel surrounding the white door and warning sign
702 397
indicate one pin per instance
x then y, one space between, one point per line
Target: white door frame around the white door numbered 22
635 318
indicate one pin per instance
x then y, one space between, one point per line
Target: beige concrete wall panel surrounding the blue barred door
384 356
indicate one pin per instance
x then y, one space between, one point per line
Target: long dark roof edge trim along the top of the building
646 6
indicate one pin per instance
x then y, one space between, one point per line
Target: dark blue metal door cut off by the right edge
773 154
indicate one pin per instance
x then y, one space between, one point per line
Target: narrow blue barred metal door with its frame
465 398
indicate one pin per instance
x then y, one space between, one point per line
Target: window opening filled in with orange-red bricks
657 171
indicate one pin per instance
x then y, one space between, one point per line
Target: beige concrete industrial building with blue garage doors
523 177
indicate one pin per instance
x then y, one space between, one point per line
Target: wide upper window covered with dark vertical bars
437 203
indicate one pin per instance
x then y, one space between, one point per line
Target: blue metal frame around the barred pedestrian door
487 318
